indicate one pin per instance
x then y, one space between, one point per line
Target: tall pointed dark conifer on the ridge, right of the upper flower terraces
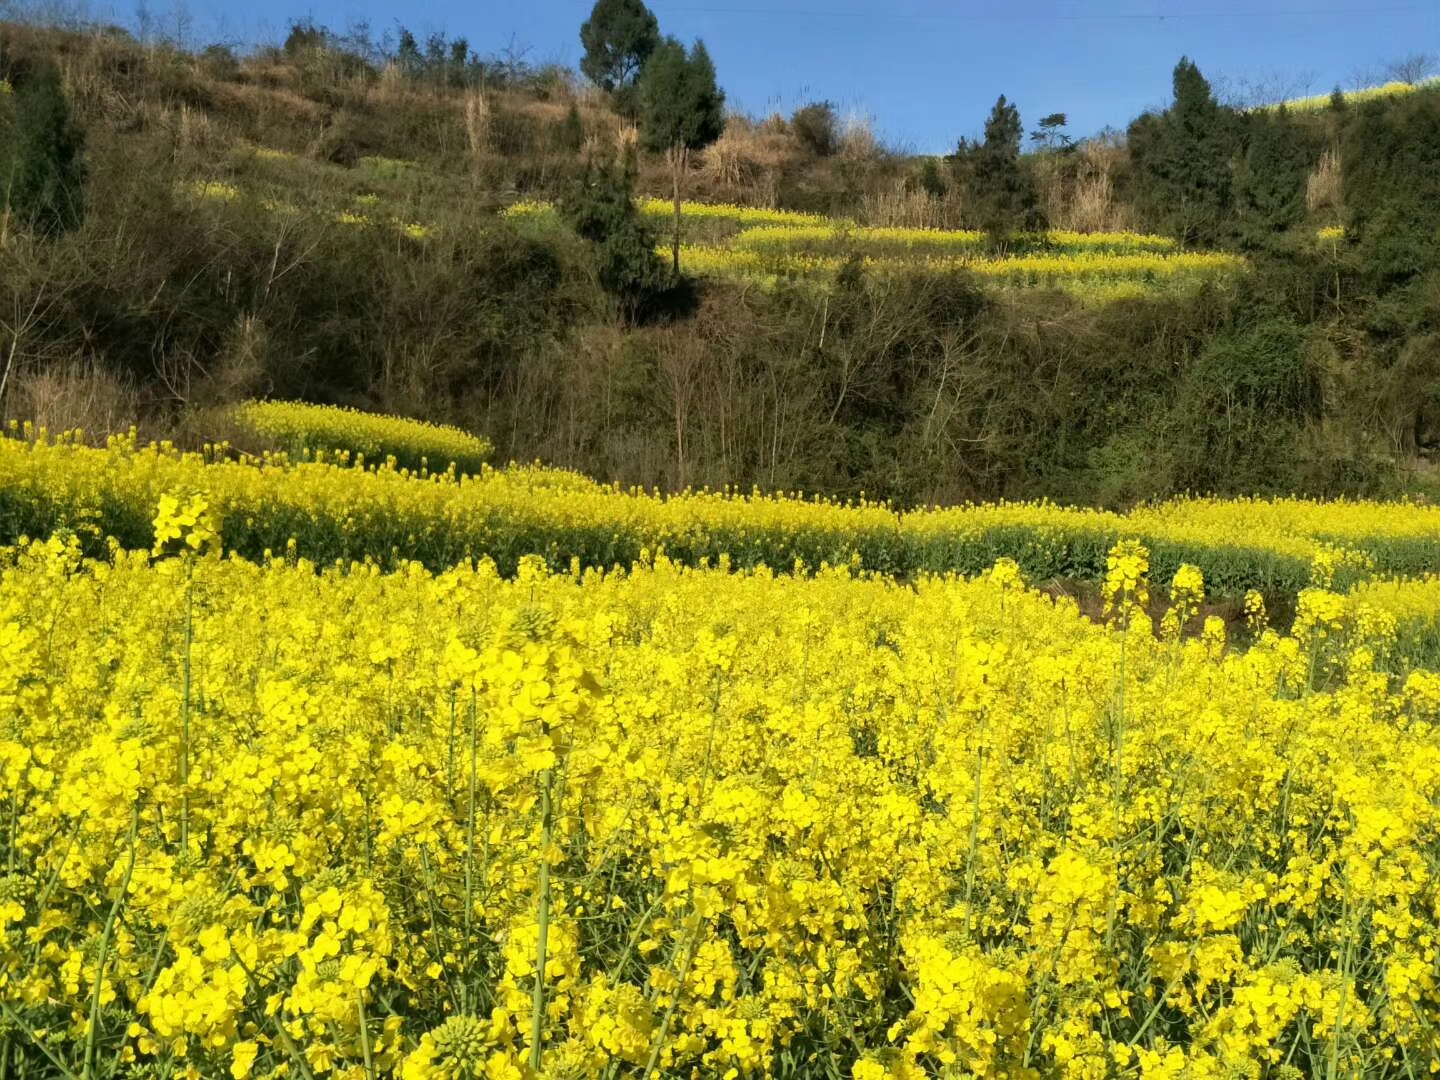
1182 163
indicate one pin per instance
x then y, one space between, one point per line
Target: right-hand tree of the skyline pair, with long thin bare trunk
682 110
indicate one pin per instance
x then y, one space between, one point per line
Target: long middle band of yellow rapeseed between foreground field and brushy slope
329 510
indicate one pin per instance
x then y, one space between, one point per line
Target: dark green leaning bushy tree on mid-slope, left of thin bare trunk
601 210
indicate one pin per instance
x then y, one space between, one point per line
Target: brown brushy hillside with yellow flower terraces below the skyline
338 224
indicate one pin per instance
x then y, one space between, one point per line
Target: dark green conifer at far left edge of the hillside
41 166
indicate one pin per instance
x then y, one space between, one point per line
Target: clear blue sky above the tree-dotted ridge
928 71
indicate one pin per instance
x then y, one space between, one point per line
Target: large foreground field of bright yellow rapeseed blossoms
273 820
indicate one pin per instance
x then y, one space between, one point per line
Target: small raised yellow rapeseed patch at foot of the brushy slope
306 430
